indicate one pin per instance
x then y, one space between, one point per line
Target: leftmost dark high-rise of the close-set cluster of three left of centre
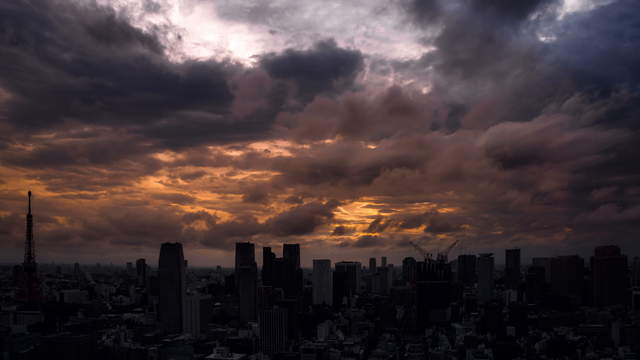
246 280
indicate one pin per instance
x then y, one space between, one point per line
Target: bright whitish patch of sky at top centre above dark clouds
244 29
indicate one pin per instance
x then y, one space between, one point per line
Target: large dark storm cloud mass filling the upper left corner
85 62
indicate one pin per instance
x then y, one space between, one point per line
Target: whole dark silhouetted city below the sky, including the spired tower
428 307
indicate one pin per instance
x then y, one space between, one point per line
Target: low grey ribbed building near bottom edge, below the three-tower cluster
273 330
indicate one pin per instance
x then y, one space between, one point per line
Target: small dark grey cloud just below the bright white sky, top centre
325 68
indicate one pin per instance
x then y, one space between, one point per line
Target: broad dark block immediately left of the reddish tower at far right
567 277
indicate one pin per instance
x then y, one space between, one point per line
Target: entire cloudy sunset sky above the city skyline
350 127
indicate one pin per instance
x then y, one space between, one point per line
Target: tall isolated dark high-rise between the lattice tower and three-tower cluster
171 282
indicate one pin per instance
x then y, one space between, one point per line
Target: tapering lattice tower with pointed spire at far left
29 287
